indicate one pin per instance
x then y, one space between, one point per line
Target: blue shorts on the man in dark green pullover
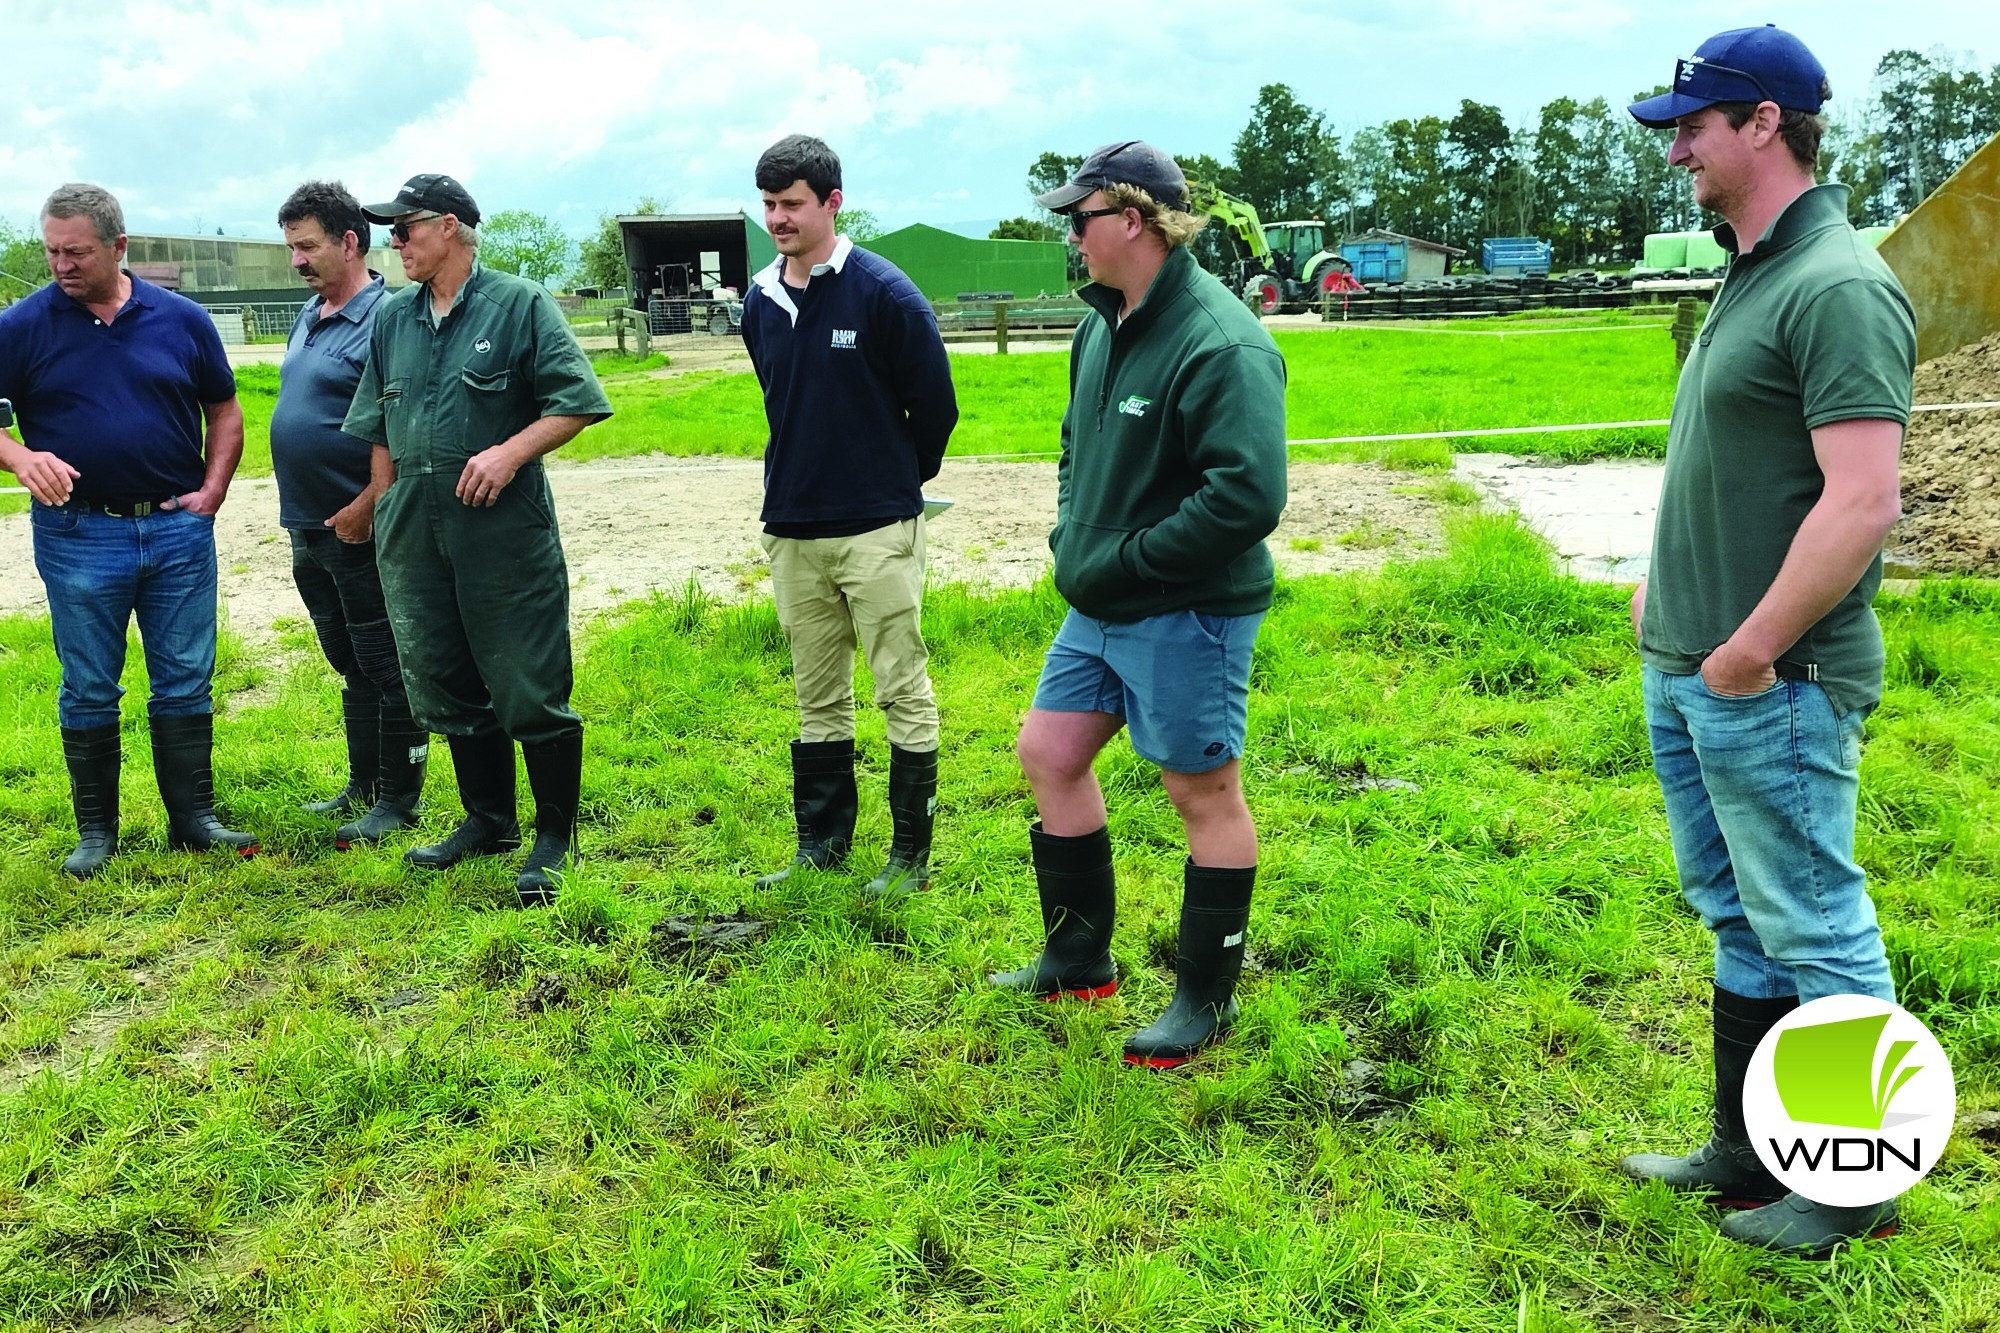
1181 682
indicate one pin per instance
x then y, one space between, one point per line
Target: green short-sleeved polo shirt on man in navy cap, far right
1807 329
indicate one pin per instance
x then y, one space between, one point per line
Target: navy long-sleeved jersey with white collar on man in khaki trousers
857 389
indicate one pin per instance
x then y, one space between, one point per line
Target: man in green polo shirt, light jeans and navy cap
1761 649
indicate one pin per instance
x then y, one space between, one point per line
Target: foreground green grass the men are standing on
327 1094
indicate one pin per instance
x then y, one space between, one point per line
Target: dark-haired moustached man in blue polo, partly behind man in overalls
327 499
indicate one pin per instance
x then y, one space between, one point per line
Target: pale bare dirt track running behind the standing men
641 525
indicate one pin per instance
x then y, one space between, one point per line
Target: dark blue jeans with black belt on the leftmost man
103 571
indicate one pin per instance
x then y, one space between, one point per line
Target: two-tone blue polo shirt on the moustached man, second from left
319 465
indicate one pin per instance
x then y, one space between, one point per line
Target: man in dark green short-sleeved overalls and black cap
471 377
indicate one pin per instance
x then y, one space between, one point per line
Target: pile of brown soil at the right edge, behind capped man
1951 467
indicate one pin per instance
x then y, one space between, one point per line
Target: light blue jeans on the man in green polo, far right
1761 804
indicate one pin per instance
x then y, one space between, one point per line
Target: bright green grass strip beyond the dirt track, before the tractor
1341 383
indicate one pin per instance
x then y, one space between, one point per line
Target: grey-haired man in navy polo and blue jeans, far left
129 437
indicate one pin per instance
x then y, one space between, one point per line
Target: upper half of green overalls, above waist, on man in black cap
441 391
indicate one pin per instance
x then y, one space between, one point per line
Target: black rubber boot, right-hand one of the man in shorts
1215 912
